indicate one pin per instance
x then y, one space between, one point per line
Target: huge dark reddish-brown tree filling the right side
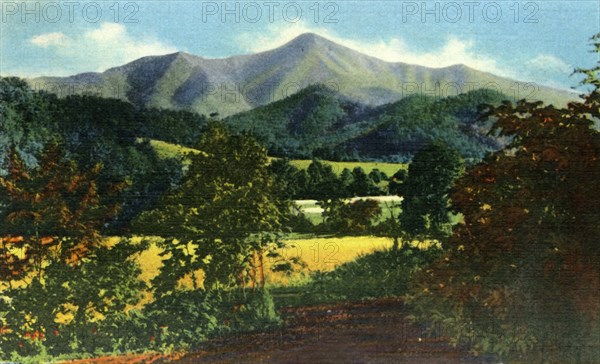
520 277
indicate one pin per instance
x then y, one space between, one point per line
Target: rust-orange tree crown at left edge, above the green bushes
52 211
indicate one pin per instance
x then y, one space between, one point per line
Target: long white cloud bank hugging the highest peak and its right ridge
454 51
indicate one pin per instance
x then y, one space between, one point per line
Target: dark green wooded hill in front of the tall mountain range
321 122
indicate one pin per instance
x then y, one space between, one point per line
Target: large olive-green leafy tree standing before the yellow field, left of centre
222 218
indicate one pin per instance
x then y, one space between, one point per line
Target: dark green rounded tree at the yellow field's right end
431 174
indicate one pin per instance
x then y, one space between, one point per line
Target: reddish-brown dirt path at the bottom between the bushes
374 332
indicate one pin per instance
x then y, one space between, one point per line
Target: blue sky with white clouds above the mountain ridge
536 41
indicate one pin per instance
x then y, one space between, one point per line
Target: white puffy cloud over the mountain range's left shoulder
97 49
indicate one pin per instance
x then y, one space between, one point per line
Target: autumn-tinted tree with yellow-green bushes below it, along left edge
54 263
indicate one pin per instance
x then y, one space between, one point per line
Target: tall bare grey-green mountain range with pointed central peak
231 85
